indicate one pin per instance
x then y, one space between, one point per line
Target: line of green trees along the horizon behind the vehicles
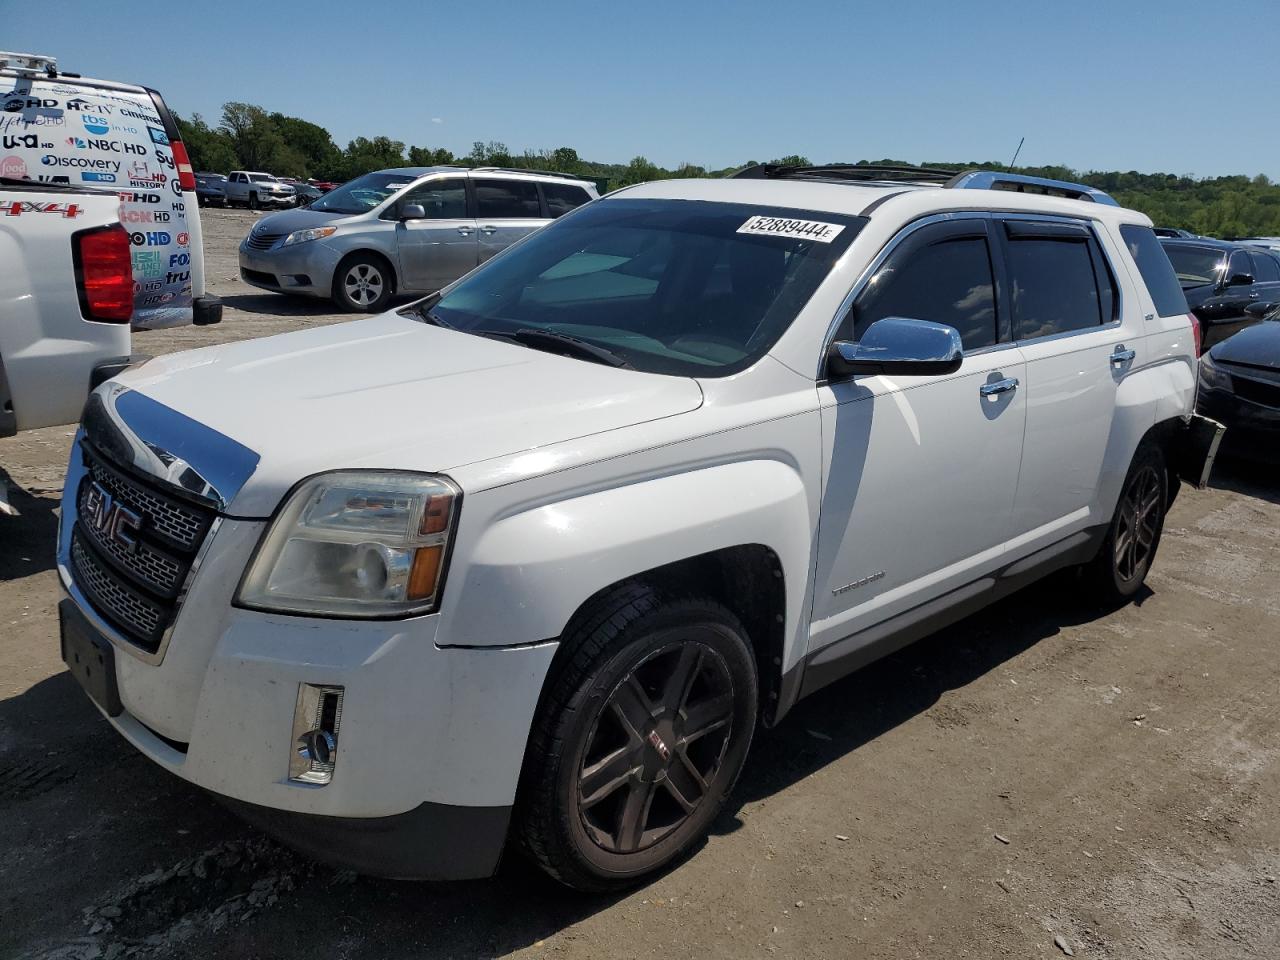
252 139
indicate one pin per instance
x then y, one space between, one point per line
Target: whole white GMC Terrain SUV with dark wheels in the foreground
532 557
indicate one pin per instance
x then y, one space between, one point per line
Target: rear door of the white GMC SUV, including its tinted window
1080 342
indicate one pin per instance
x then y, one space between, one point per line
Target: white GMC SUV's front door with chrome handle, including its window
921 472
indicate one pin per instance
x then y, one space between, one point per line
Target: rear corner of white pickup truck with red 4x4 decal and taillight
66 301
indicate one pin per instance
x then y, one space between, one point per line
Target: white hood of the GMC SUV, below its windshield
397 395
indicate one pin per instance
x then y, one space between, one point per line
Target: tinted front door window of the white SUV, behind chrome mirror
939 276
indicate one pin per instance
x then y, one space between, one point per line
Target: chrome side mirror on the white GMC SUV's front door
899 346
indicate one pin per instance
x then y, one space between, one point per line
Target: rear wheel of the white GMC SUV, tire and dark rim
1122 566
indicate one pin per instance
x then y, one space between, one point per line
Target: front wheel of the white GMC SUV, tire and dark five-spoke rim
639 740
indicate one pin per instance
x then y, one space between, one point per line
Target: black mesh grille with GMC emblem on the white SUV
136 583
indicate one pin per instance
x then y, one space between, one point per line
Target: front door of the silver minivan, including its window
437 249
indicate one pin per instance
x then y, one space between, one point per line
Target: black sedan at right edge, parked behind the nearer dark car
1223 280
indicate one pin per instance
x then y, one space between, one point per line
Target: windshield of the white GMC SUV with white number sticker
665 286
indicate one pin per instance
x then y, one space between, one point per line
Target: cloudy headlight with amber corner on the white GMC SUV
356 543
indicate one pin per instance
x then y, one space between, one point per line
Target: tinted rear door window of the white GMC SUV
1058 280
